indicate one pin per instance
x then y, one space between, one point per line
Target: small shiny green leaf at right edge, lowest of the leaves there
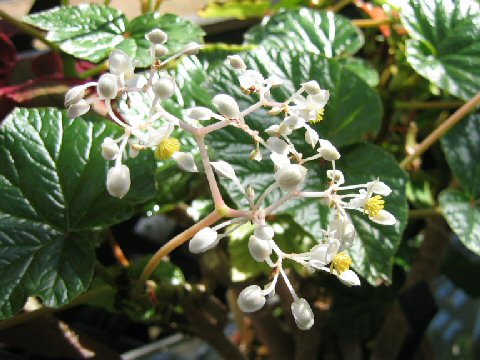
463 216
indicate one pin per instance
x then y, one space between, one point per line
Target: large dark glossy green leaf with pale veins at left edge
53 200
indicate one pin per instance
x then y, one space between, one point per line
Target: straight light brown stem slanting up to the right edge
441 130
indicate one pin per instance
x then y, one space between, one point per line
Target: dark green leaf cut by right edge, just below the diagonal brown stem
461 146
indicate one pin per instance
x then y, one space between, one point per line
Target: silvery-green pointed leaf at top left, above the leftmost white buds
91 31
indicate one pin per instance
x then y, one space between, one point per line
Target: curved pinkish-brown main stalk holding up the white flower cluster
173 244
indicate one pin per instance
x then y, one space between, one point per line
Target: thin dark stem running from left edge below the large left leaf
27 316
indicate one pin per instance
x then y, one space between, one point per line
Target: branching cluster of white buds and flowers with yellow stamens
289 166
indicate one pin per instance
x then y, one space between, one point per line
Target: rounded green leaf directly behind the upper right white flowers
353 111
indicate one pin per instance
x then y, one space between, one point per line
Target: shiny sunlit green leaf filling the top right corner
445 44
